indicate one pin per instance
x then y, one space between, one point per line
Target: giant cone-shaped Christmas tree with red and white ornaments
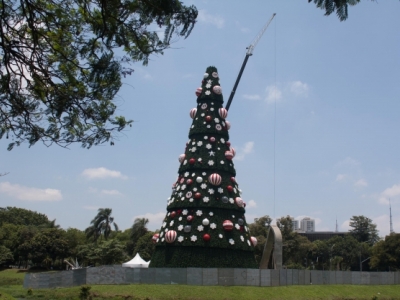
205 224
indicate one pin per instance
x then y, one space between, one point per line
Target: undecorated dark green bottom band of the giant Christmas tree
195 257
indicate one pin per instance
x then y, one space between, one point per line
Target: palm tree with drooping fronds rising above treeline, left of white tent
101 224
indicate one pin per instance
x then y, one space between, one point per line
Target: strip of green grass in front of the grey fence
11 287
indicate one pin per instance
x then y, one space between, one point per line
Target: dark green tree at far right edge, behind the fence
386 254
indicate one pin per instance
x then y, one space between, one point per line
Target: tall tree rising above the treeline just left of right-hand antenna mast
363 230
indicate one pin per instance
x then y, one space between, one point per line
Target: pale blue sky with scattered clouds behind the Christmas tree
321 94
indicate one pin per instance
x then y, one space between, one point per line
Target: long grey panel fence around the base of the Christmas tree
207 276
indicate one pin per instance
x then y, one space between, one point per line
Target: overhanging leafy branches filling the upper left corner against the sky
59 73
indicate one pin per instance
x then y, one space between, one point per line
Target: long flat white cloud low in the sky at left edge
29 194
